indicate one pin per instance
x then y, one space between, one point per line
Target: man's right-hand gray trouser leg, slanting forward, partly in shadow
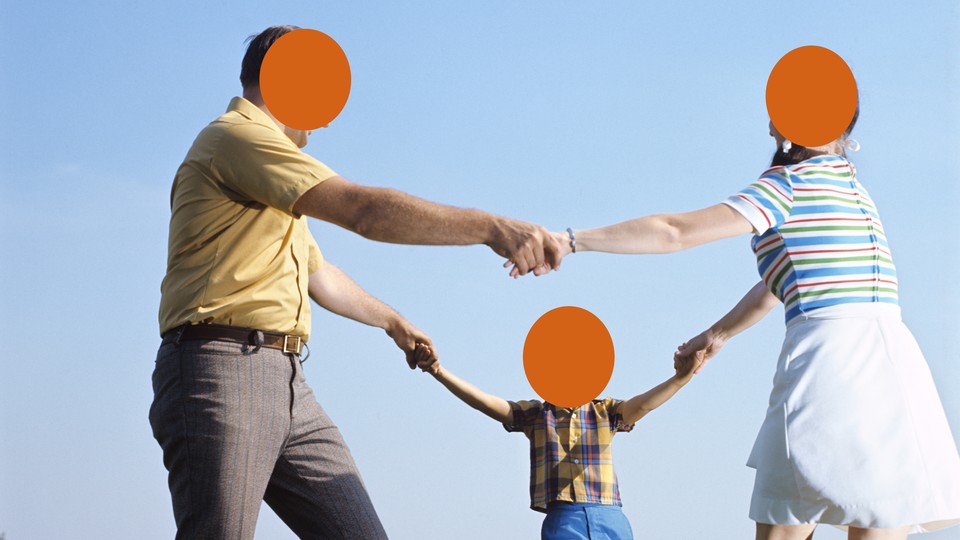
316 488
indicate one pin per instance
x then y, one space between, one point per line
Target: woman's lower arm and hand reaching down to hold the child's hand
749 310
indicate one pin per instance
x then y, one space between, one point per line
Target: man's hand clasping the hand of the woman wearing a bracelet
528 247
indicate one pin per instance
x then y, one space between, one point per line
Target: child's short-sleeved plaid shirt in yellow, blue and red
570 457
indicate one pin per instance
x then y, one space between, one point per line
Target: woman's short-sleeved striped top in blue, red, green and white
819 240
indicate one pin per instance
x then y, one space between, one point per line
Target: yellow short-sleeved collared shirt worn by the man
237 255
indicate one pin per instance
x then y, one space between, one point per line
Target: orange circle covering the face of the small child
568 356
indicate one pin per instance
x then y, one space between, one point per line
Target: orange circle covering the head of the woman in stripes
811 96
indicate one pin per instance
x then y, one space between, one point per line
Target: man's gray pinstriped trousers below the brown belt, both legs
238 425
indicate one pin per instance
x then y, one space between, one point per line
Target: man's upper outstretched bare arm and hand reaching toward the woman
388 215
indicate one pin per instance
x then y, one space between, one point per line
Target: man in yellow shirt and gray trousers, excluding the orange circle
235 419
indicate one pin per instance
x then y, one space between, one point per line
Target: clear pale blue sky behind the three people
562 113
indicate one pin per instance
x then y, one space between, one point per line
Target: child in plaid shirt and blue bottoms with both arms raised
571 467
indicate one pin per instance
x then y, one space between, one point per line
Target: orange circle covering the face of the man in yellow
305 79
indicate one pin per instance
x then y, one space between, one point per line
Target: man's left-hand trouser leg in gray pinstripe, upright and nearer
221 413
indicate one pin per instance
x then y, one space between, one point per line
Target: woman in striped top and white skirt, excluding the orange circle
855 435
